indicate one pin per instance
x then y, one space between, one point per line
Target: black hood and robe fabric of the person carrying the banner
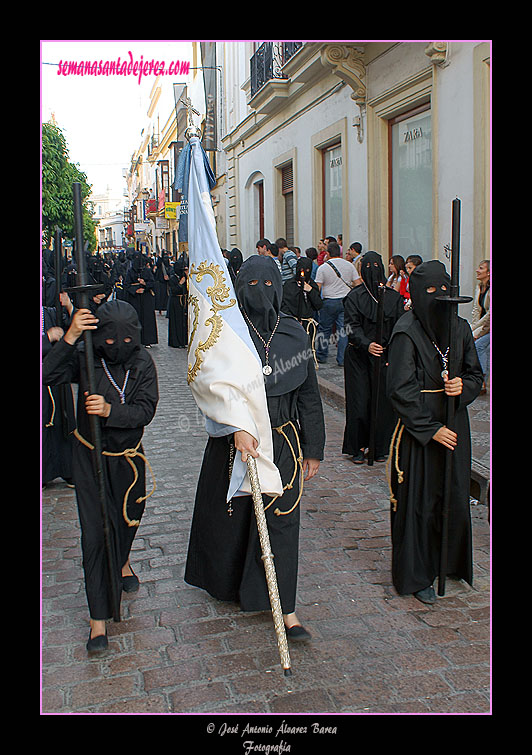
224 553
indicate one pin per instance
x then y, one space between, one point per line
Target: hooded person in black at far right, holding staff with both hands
419 387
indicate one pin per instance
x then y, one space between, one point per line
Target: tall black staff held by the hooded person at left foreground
96 435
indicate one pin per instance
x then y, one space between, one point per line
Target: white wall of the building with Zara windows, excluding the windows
290 133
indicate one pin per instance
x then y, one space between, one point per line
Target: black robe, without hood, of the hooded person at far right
414 386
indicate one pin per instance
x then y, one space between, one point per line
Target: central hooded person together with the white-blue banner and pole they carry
251 373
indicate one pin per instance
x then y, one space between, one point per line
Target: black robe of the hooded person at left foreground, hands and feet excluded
123 429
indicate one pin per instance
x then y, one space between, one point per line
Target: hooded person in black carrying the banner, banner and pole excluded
224 555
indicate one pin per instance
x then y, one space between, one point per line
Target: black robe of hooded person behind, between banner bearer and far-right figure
360 322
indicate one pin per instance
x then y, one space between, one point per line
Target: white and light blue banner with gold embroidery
224 369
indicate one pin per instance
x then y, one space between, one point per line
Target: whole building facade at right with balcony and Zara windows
370 140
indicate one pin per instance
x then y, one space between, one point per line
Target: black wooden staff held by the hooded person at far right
453 299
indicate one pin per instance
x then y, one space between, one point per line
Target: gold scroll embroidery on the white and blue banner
218 292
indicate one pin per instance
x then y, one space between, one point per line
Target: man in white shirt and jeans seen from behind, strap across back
335 278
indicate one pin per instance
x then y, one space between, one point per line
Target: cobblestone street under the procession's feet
177 650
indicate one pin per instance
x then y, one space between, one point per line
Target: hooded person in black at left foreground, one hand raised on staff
125 399
